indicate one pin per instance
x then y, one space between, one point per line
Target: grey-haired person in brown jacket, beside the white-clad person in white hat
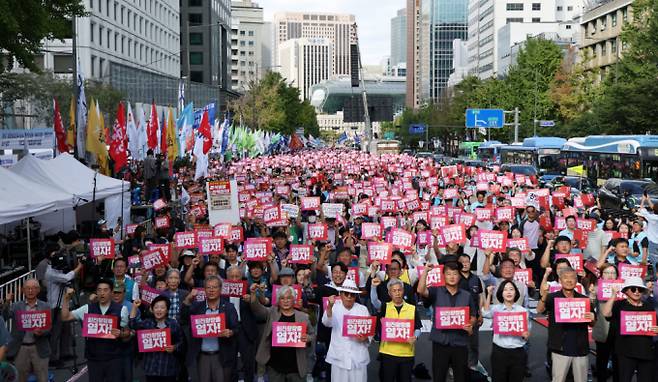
278 360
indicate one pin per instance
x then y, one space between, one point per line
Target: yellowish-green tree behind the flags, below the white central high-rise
274 105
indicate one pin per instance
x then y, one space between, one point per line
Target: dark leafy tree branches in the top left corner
24 24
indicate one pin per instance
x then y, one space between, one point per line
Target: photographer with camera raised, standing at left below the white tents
58 275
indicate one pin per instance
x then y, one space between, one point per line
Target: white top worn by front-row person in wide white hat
345 352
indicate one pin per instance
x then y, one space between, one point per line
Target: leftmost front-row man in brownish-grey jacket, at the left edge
29 349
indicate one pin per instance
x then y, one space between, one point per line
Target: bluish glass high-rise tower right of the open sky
443 22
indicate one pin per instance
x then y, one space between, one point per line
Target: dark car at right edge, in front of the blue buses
626 193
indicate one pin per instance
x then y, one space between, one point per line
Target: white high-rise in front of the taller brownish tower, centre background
305 62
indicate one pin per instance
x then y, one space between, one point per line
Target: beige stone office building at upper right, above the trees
600 34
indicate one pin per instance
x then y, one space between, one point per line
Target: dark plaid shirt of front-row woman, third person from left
161 364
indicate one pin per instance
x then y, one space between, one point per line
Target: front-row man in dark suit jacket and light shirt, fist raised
215 357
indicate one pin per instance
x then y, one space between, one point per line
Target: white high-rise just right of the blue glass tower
487 17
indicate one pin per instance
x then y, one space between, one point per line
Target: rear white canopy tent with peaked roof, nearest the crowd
66 175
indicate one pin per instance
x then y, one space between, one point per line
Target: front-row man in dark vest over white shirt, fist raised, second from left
103 355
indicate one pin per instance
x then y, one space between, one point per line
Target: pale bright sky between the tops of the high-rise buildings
373 18
